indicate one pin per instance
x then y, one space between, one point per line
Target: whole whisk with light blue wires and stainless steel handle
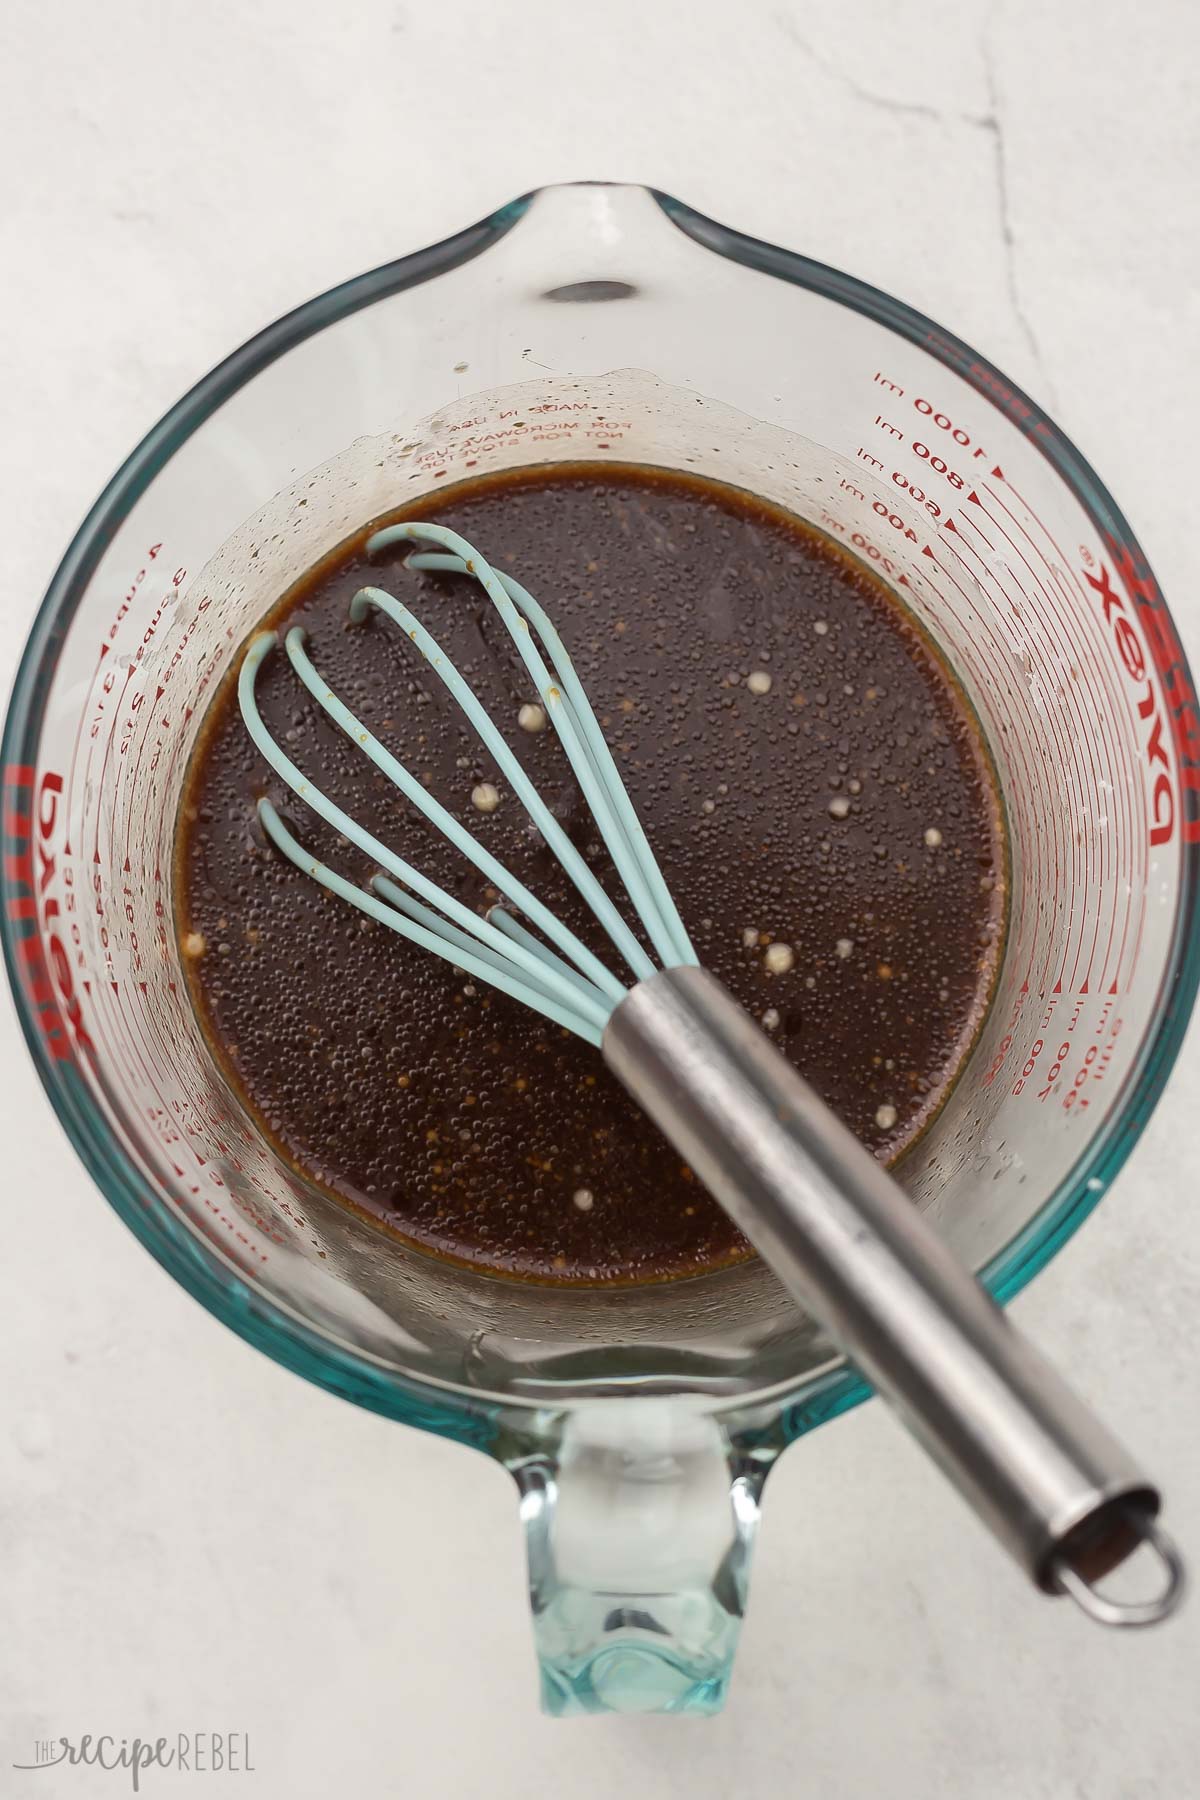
839 1232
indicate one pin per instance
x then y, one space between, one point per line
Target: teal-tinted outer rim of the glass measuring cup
201 1268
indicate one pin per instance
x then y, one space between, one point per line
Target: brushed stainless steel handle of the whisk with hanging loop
1055 1488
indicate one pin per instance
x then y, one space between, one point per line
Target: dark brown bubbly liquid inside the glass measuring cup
848 813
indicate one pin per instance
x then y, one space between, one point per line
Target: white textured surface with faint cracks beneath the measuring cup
192 1538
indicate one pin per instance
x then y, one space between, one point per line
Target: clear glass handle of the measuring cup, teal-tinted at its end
640 1527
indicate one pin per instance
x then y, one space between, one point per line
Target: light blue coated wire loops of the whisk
560 978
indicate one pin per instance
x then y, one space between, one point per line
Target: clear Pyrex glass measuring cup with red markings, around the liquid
605 323
